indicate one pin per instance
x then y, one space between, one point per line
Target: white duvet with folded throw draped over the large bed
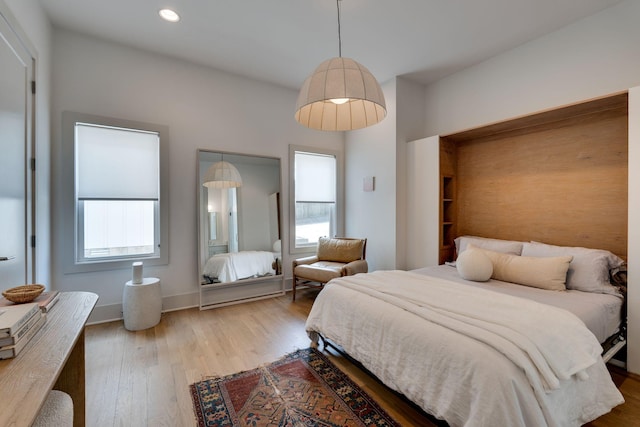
469 356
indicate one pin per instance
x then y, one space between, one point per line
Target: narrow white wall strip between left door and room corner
36 27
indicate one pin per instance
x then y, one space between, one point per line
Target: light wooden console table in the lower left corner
53 359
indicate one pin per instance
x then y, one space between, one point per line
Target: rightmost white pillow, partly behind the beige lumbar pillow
589 270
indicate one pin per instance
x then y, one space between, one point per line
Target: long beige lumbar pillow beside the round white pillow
545 273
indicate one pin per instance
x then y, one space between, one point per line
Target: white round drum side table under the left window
142 304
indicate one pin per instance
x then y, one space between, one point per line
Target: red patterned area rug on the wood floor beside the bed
302 389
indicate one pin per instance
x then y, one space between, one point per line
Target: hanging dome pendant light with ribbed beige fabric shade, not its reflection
341 94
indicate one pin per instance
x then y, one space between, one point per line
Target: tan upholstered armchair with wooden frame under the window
335 257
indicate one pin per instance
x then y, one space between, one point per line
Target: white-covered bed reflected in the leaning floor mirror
229 267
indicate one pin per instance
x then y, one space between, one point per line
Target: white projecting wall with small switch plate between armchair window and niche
380 151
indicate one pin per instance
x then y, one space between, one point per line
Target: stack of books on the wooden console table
20 322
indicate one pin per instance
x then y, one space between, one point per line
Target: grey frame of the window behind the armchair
339 226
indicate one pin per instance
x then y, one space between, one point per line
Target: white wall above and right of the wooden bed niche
594 57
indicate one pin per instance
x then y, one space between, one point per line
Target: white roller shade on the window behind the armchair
315 179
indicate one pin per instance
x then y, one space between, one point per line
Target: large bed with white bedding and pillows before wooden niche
483 352
